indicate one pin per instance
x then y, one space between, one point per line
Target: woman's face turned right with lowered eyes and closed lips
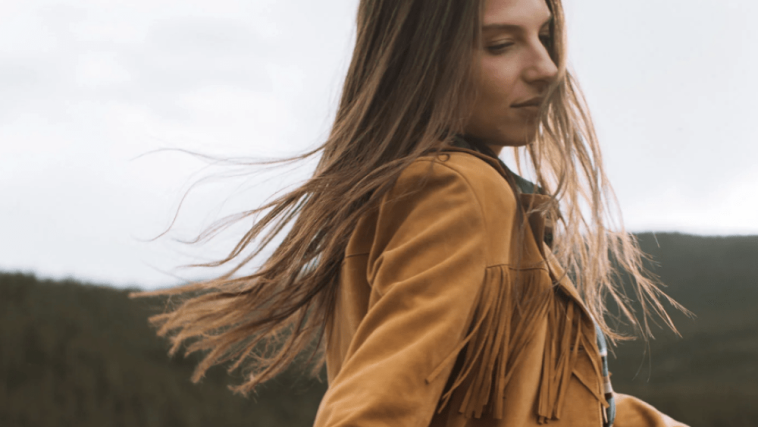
515 68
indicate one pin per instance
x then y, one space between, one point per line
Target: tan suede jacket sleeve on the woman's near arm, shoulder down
426 270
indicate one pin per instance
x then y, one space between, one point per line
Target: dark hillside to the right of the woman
709 377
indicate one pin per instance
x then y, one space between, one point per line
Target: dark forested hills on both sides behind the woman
83 355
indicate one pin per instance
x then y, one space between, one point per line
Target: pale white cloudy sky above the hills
90 89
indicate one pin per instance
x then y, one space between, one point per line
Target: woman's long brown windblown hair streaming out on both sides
407 91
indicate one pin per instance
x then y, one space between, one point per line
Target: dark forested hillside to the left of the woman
82 355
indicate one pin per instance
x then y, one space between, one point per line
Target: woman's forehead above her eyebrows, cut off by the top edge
515 12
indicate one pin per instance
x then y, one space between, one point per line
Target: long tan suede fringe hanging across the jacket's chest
499 334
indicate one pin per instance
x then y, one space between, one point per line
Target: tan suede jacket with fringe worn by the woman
447 313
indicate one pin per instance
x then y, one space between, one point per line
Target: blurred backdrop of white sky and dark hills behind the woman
100 103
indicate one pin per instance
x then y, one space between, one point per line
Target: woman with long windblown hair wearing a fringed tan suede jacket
431 276
